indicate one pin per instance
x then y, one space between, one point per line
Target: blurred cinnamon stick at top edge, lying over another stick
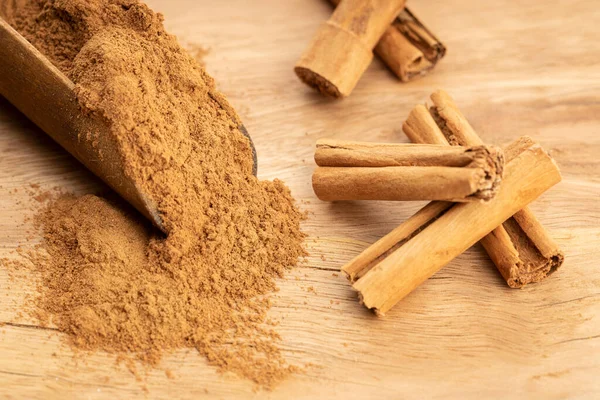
342 48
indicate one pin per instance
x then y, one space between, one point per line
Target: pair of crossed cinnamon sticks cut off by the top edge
342 49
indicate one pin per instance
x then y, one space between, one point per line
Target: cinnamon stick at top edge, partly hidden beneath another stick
407 47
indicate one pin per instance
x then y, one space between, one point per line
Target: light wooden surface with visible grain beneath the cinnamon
514 68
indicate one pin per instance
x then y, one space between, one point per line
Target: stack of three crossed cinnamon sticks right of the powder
486 192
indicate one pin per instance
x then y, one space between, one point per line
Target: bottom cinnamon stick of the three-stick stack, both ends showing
521 248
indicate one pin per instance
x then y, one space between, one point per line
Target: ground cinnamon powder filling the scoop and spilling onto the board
109 279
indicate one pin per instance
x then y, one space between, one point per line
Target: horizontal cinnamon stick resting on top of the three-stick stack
399 171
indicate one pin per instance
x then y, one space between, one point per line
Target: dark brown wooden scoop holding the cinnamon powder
46 96
